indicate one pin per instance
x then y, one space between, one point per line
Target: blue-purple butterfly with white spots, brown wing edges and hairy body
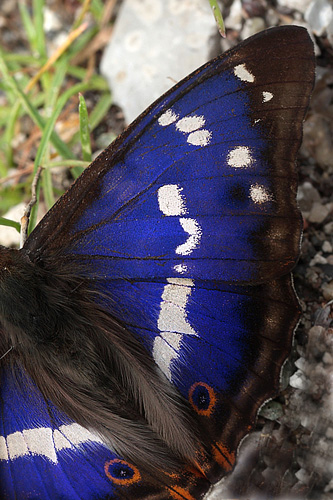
150 311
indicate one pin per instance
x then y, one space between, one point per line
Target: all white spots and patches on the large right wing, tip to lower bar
172 322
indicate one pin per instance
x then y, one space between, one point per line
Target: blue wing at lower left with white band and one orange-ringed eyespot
45 455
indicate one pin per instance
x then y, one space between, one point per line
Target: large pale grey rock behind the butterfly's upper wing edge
155 44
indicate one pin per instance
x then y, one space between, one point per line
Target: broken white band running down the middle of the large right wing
172 321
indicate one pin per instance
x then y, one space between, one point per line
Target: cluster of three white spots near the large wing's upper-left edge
191 125
